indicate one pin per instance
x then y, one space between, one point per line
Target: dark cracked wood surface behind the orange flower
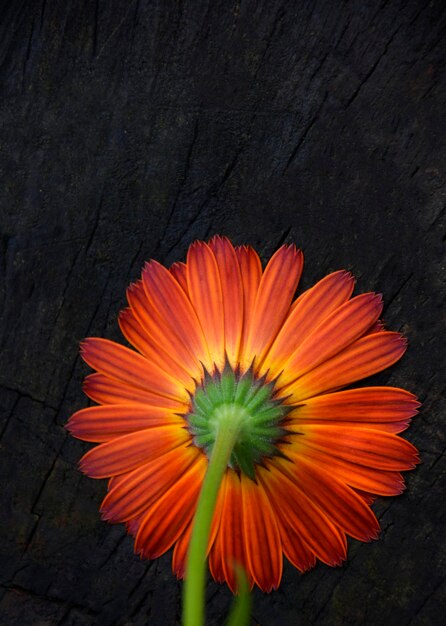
129 129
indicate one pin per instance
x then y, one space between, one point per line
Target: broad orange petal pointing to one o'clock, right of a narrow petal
274 296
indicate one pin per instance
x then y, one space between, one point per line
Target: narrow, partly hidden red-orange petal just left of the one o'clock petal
251 273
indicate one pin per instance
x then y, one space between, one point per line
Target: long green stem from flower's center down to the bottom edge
228 425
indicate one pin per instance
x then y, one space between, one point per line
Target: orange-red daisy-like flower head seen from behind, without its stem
217 331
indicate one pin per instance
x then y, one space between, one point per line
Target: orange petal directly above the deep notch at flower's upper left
138 337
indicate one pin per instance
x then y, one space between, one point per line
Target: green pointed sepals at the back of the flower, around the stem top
227 397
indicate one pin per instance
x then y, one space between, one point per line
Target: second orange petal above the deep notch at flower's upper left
159 330
